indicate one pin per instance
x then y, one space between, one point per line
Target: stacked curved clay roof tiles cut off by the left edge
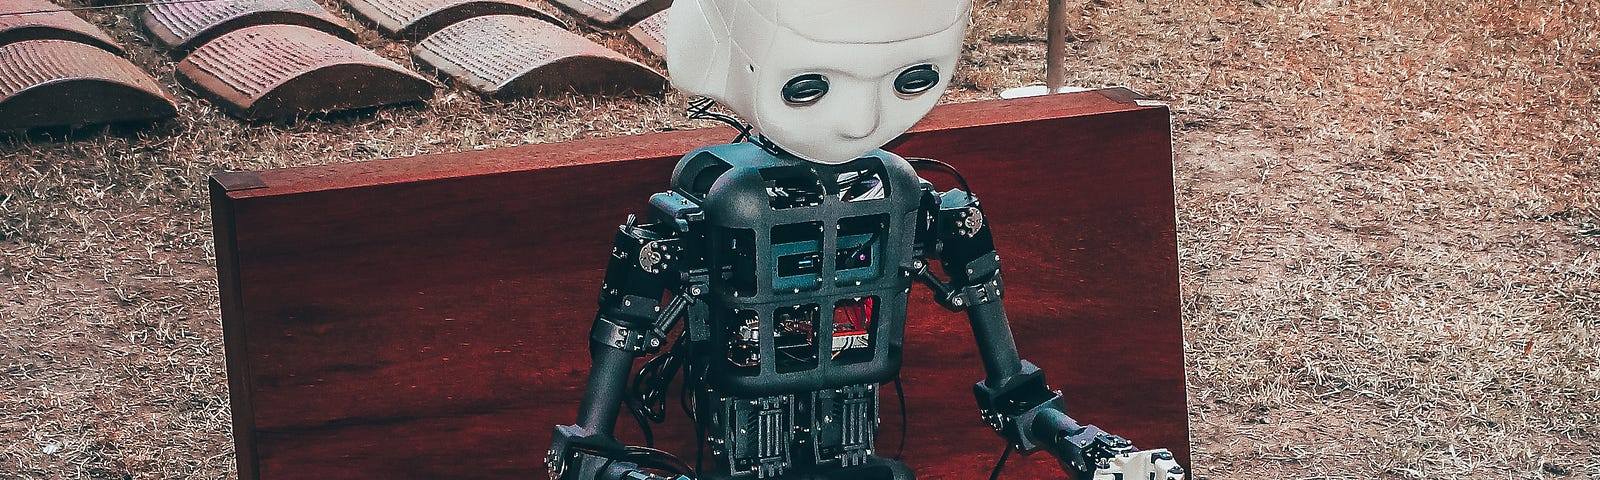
58 70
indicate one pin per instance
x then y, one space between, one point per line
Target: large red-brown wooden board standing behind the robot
428 318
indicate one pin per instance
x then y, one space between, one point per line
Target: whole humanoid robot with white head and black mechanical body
790 255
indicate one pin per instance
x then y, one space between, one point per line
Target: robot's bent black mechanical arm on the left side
631 322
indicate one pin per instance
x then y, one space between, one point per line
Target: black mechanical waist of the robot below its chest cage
766 438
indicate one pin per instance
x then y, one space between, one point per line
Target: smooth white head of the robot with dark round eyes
826 81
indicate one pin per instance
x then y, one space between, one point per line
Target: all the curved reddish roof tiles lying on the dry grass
287 58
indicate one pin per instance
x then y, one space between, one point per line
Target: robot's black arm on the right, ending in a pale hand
1014 398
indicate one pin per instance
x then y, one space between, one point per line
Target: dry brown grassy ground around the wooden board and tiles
1390 225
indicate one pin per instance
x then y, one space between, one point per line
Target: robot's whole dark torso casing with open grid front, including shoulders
806 268
